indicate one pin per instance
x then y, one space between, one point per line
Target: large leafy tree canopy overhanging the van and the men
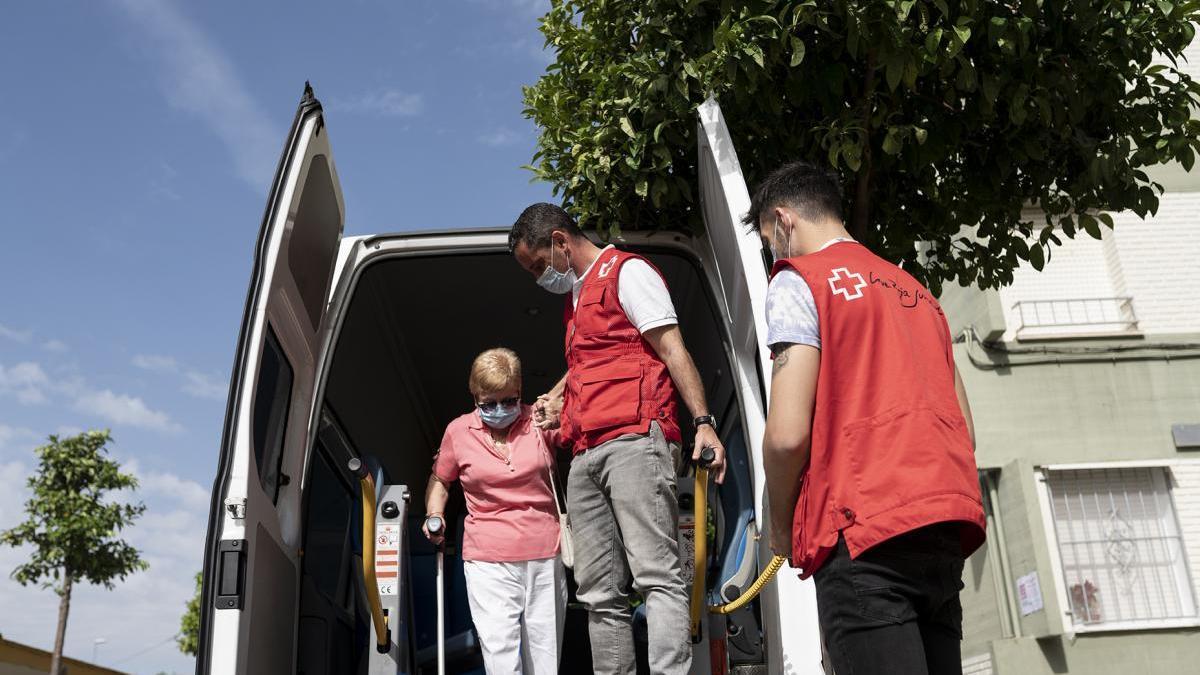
939 116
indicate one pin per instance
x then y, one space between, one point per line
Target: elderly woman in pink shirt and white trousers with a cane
515 583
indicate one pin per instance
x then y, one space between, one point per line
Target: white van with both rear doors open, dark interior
359 349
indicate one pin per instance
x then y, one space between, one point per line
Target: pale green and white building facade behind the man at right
1085 386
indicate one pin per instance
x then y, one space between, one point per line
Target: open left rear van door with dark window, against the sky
253 554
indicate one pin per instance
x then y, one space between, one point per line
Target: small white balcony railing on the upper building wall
1076 316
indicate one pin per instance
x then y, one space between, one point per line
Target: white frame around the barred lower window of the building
1058 574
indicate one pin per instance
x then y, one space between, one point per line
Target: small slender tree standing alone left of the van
74 523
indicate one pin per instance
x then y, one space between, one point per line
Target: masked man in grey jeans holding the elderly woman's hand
626 360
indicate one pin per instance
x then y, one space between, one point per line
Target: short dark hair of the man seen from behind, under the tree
812 190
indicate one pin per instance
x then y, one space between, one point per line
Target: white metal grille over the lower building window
1121 549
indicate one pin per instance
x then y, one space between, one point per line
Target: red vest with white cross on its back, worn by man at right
891 449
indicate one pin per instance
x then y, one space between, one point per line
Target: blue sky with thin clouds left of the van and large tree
136 144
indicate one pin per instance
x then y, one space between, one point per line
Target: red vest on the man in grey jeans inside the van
616 385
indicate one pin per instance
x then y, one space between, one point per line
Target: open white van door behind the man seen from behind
789 606
